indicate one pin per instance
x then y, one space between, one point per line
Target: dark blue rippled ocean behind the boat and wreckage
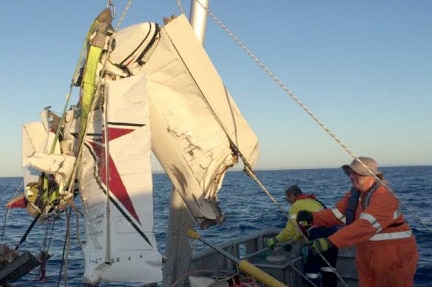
248 209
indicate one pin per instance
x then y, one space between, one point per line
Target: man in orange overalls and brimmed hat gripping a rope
387 253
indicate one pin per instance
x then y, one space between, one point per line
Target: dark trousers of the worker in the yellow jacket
318 271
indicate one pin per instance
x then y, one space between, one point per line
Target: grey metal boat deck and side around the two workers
280 264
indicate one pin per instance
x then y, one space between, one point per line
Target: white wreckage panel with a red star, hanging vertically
116 187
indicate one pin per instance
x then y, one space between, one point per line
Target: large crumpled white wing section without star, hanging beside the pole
197 129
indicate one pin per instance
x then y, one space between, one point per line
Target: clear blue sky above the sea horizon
364 68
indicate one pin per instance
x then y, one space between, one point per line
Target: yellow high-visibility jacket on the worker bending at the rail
291 231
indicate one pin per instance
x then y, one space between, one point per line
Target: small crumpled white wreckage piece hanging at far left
47 170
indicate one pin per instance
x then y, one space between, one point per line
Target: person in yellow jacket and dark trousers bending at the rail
315 268
